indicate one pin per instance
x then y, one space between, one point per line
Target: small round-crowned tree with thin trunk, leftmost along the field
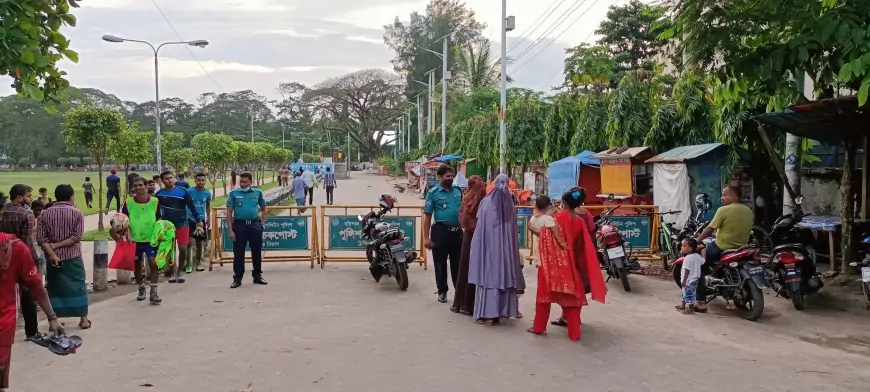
91 129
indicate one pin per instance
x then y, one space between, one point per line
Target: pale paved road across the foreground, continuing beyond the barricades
335 330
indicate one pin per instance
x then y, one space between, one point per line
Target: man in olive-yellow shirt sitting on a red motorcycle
733 225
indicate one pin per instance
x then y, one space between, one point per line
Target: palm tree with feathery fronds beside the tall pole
477 65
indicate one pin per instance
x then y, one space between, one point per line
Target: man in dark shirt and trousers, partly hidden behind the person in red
17 220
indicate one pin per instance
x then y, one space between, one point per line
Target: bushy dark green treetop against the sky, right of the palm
631 31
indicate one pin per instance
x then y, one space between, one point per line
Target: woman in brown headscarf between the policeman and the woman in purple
463 299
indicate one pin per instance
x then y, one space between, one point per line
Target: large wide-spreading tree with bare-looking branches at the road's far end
361 104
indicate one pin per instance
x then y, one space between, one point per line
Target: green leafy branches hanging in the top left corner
31 44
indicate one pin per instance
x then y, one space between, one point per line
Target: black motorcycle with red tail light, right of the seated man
792 270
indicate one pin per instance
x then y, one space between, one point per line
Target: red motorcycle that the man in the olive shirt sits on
738 276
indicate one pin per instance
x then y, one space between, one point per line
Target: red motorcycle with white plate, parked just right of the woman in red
612 255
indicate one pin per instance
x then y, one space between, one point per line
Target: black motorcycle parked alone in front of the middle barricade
385 251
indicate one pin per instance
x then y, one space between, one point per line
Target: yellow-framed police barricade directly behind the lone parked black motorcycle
341 237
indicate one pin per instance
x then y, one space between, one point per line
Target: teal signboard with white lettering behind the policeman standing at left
280 233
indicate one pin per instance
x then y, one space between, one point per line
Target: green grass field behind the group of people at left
50 180
